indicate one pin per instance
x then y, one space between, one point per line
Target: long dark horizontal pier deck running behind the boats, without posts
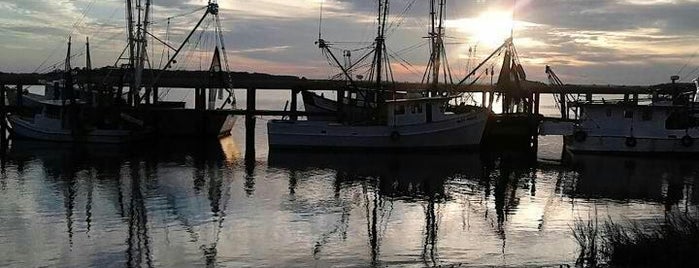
200 79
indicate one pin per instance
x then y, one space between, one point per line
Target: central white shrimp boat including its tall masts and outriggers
372 120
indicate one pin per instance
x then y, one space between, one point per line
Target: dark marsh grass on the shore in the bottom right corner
670 242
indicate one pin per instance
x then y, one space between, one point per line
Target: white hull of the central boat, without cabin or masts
462 131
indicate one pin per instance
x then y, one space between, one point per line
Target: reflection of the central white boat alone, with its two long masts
385 178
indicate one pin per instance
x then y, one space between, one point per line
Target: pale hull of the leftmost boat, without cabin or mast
25 129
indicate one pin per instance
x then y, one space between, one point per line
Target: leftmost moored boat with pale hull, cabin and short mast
60 116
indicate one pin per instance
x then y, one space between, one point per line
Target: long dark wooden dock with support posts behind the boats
255 83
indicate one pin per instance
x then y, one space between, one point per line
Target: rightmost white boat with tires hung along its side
668 124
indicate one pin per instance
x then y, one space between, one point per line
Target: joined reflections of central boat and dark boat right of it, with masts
431 180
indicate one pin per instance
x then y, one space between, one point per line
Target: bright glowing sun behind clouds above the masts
490 27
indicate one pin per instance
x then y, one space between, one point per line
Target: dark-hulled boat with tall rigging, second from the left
172 118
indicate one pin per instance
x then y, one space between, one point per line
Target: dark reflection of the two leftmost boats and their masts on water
187 181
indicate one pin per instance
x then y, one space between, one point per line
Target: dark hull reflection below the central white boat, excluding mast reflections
399 176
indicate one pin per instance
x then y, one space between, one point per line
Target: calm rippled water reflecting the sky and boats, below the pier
178 203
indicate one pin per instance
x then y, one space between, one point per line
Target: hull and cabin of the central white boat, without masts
411 124
